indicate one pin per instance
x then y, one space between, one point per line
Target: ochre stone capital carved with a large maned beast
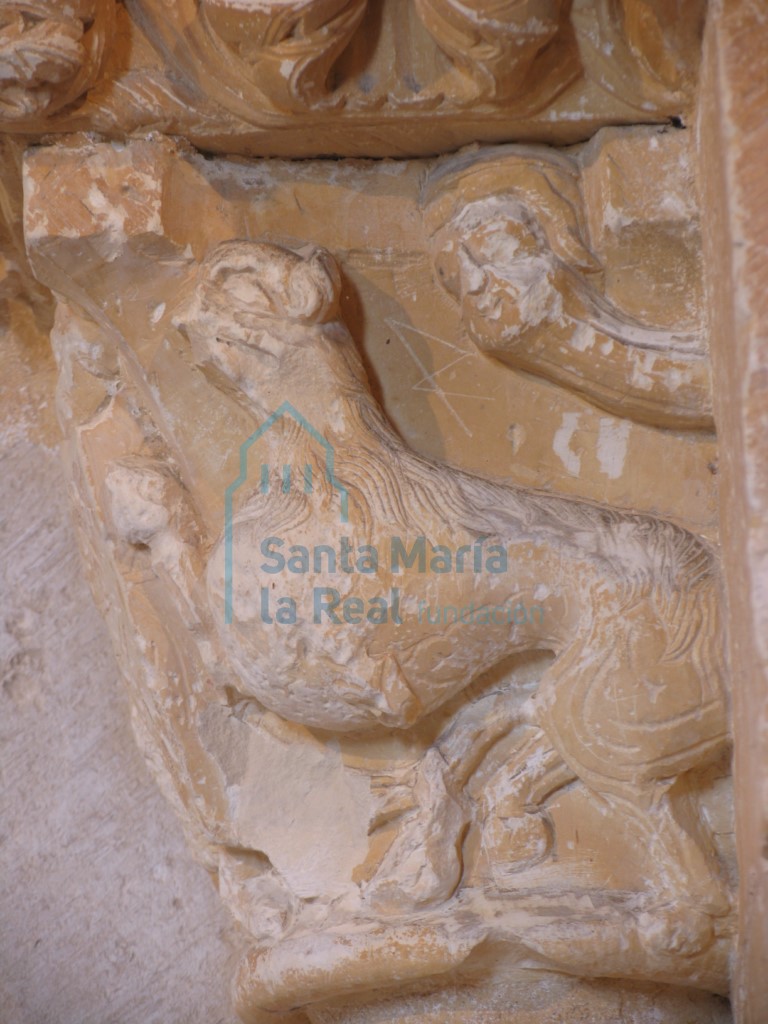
499 711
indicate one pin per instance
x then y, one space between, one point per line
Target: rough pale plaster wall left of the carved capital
105 918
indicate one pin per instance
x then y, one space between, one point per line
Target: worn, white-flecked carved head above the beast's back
506 233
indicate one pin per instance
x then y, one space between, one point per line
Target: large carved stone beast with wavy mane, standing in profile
634 696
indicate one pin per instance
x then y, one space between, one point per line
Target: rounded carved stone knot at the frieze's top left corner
51 55
